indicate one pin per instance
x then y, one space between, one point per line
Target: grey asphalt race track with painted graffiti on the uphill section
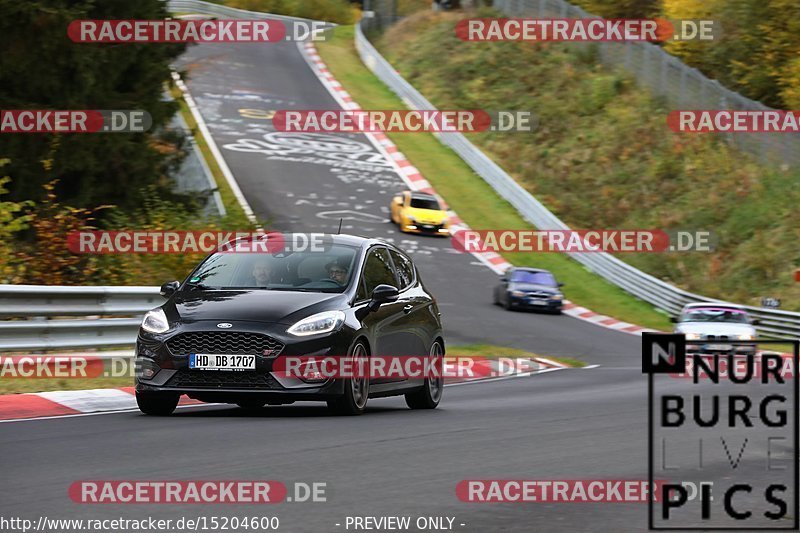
565 424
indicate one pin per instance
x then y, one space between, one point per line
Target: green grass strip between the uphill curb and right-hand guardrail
471 197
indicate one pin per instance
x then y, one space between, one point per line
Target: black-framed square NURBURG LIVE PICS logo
733 434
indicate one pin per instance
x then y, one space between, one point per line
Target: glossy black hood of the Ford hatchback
251 305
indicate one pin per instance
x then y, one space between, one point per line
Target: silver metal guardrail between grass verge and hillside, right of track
773 323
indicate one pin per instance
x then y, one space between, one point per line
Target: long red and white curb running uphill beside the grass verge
417 182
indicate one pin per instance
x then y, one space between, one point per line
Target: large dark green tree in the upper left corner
41 68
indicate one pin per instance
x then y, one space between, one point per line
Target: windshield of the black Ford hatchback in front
309 271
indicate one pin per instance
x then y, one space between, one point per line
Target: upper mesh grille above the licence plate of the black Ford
231 342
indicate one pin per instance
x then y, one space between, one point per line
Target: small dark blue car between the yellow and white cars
529 288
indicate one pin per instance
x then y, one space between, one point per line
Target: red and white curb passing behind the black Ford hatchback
54 404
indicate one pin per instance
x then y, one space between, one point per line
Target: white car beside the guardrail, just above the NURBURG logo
713 325
